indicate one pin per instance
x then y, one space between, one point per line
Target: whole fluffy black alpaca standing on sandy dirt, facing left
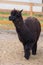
28 31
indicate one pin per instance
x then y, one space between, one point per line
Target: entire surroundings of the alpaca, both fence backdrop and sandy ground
11 49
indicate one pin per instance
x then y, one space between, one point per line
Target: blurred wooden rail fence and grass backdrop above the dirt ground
30 8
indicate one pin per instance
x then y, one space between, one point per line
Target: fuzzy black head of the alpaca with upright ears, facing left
15 15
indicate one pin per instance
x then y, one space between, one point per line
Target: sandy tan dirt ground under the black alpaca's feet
12 53
